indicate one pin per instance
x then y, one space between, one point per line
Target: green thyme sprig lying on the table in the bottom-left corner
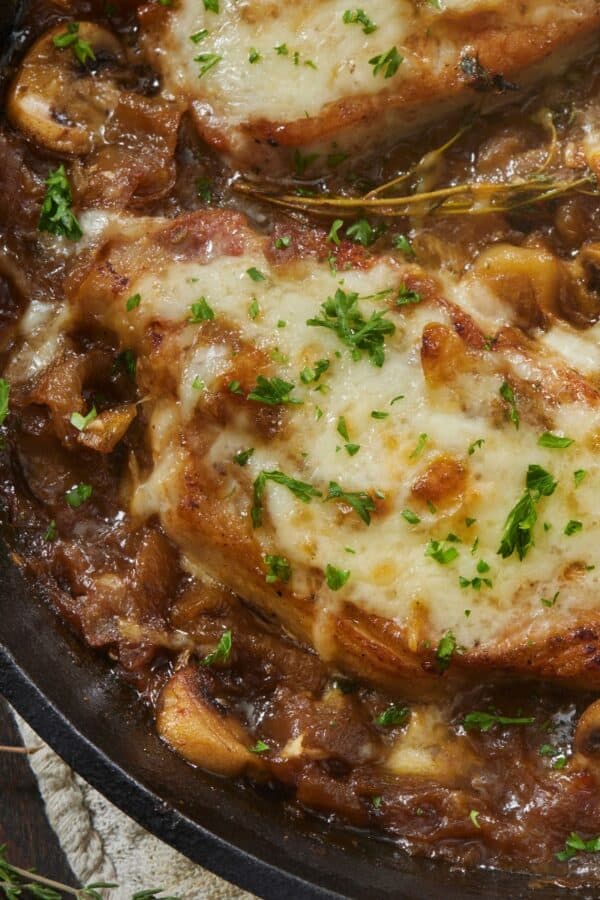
15 882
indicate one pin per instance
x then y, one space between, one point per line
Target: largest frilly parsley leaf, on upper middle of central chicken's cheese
341 315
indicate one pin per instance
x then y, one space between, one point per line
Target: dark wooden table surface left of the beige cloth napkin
23 825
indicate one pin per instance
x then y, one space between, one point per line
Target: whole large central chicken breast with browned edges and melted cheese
441 461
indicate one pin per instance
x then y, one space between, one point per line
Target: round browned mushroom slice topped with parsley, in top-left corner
59 102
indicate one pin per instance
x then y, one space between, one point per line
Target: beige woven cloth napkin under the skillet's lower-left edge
103 844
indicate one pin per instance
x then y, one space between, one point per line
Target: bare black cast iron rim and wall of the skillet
252 837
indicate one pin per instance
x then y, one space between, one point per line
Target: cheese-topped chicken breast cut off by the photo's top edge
264 79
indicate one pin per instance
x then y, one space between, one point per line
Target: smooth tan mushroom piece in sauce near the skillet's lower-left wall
193 725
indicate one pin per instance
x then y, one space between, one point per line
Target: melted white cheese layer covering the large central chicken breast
390 573
